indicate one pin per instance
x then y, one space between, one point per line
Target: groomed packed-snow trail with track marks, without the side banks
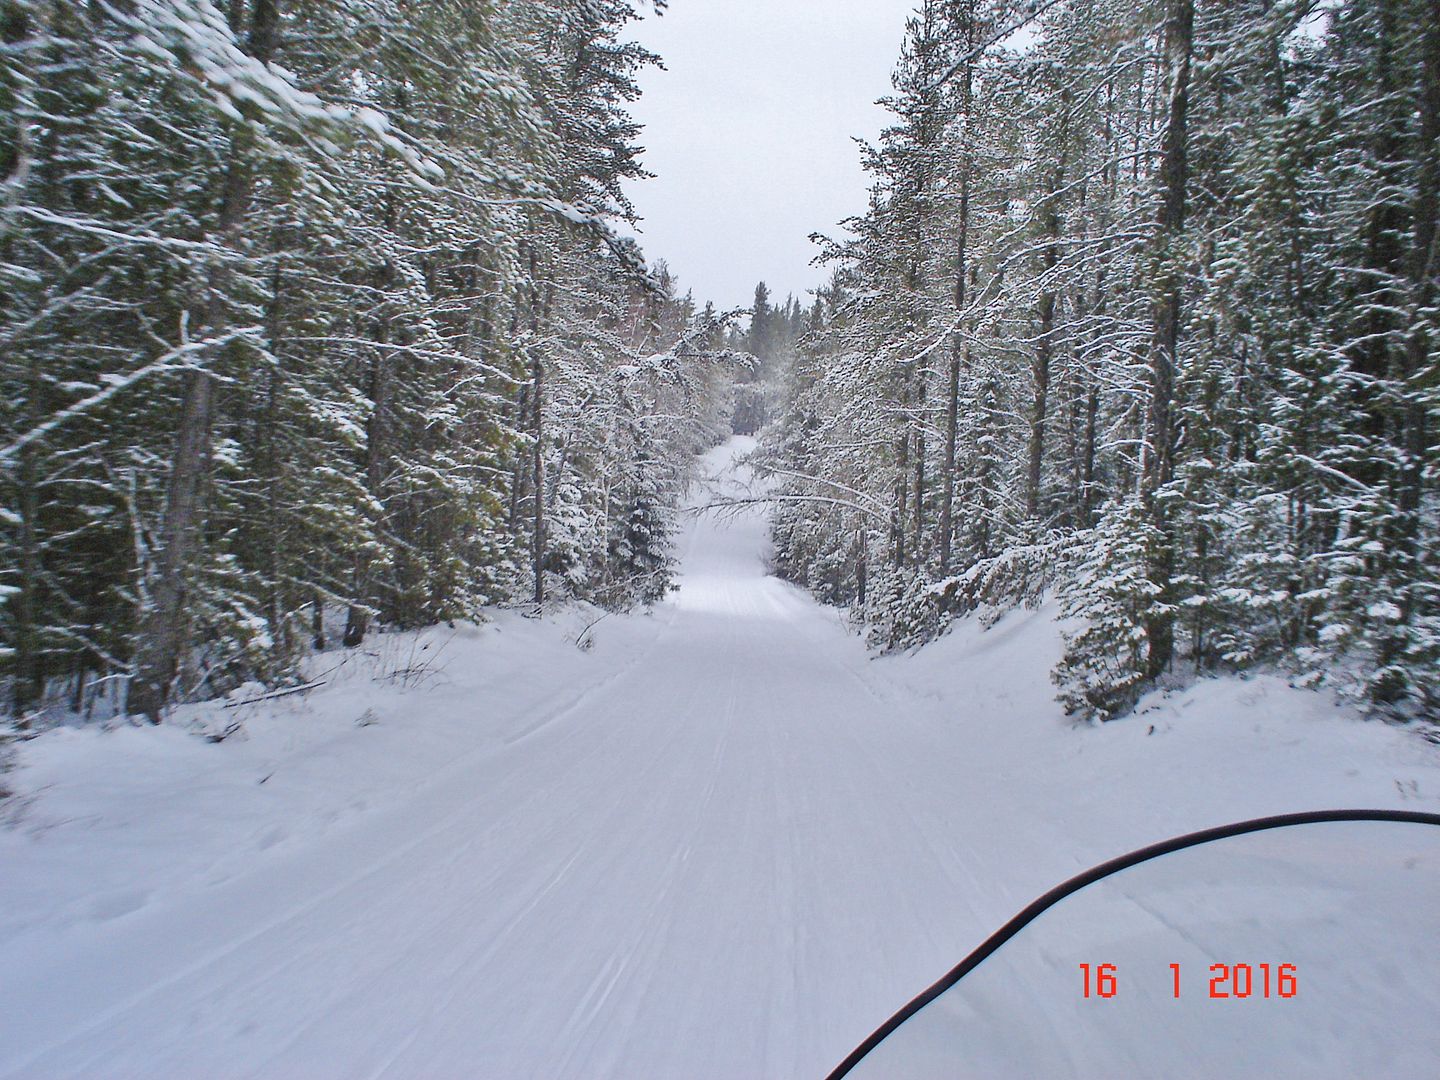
676 878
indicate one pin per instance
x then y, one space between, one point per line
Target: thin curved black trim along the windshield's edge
1089 878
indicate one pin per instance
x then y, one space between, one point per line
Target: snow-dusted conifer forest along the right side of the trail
1143 315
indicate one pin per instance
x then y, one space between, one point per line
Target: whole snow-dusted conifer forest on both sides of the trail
315 320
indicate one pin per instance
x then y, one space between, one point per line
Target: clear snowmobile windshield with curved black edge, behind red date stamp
1300 947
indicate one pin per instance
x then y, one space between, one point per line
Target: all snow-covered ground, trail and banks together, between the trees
722 842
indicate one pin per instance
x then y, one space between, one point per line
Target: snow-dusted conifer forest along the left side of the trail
315 319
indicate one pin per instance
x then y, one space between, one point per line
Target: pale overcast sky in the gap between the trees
750 135
